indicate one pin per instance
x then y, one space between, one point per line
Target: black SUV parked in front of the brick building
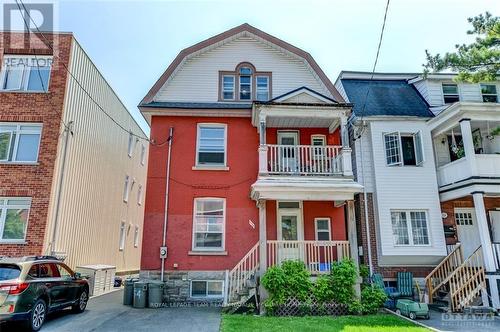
32 287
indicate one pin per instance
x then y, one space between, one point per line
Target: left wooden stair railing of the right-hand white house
443 272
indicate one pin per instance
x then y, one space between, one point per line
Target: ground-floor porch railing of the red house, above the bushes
319 256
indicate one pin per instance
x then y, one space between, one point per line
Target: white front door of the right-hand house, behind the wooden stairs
468 232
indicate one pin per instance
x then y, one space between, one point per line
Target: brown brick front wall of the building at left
34 180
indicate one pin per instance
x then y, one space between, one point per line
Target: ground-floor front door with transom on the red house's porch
290 230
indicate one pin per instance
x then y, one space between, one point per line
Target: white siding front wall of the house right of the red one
406 187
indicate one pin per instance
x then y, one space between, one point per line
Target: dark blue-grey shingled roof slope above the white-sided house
386 98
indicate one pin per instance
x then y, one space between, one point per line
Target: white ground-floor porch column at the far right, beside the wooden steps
484 235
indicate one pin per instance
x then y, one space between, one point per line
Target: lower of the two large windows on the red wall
208 224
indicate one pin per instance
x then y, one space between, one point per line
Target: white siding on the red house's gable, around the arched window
197 79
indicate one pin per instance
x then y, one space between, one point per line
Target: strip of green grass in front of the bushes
381 322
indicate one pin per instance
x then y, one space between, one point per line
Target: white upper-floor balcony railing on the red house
304 160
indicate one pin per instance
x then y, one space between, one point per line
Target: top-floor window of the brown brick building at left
25 73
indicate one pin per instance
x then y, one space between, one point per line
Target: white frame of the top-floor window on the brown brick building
23 85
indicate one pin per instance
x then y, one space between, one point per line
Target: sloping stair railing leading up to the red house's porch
243 272
